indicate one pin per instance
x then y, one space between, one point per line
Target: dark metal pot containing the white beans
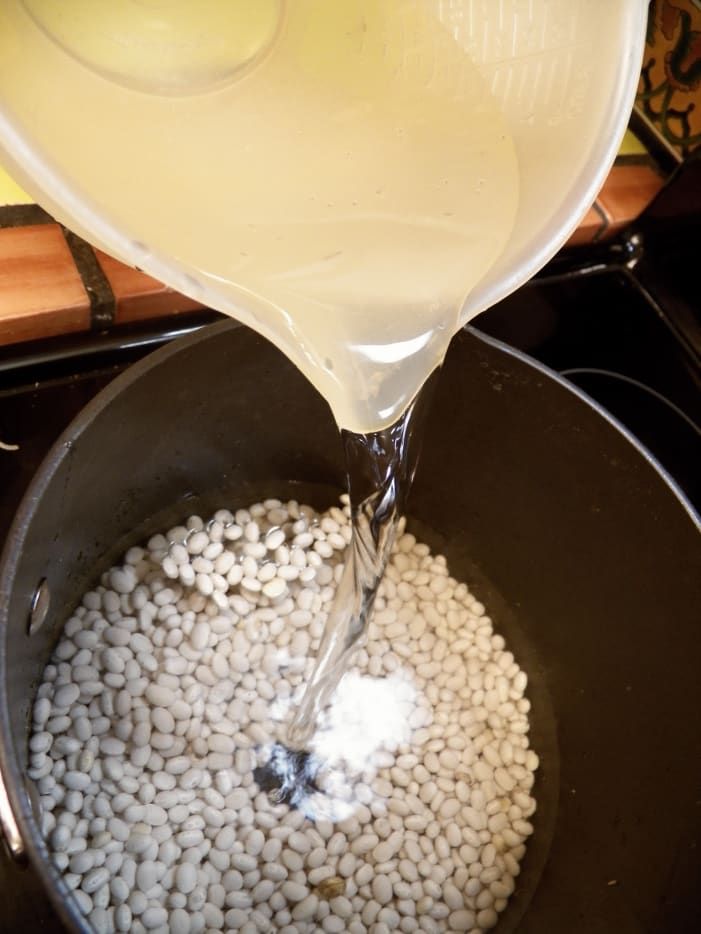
585 553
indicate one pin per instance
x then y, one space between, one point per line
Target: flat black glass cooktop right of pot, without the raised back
597 328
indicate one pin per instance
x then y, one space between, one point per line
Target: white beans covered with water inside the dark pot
175 675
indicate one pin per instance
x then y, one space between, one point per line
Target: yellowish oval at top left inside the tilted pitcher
176 47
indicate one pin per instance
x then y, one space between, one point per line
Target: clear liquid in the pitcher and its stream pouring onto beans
347 191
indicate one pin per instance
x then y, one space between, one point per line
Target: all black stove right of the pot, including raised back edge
623 322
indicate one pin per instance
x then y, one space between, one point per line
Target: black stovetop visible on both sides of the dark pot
619 320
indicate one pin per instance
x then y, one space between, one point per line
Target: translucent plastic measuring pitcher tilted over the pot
131 121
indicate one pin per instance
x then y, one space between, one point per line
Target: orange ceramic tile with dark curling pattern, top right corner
669 95
